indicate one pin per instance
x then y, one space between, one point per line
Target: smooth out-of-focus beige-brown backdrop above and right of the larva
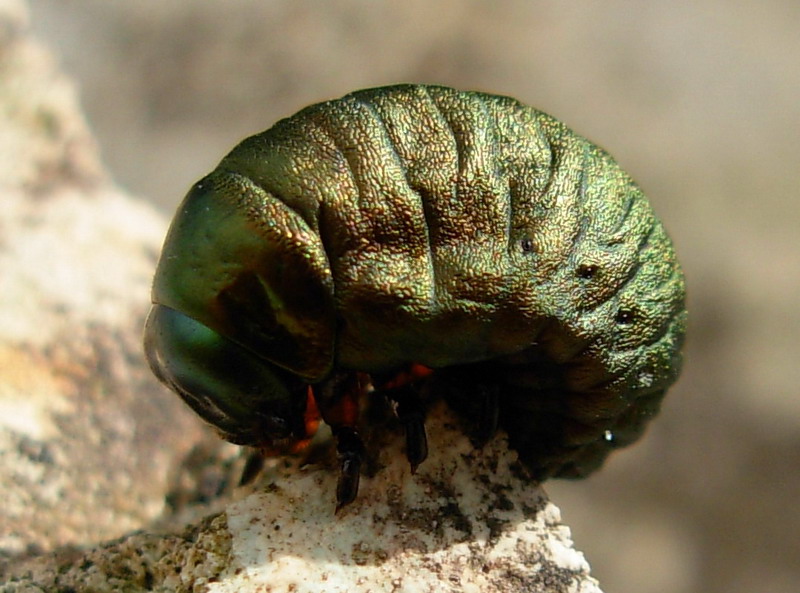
699 101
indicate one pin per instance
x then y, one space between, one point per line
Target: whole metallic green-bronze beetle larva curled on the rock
417 236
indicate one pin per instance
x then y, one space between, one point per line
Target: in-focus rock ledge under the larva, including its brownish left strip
469 520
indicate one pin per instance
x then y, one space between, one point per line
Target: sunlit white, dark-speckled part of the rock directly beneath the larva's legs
467 521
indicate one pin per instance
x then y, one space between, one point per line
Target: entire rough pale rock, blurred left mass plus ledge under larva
92 448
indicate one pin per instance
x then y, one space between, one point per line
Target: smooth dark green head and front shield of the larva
241 309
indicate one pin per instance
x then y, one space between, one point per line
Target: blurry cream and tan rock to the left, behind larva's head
90 443
